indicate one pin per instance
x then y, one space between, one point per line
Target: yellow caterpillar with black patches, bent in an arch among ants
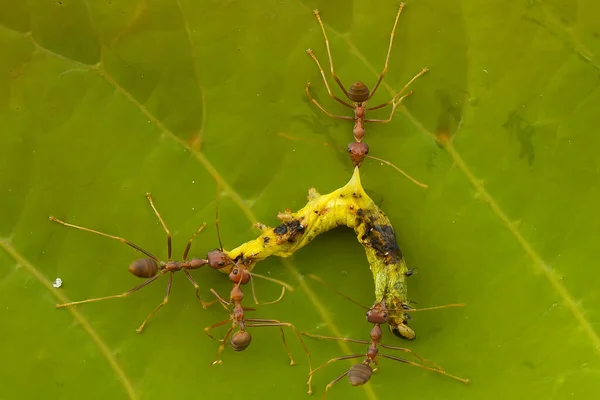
347 206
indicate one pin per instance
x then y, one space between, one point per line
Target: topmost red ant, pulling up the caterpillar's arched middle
359 95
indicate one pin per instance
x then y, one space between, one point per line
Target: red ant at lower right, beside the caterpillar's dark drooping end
359 374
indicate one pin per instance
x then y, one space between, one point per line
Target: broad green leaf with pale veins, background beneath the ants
103 101
